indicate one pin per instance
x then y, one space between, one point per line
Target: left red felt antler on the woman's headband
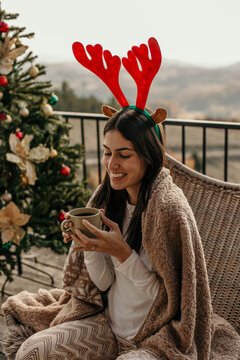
109 75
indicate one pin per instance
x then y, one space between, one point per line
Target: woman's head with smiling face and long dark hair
129 179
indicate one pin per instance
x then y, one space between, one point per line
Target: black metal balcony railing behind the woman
203 125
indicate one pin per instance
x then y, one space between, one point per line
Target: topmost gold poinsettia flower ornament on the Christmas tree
7 56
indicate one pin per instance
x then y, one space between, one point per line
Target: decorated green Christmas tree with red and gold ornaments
37 164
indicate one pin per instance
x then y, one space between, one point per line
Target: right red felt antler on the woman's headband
143 78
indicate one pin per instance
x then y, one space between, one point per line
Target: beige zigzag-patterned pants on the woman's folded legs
85 339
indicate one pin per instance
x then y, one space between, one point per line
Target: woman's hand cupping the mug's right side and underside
108 242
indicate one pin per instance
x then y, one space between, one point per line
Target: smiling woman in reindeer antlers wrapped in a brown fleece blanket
139 289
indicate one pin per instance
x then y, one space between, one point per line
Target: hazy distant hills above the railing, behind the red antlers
186 91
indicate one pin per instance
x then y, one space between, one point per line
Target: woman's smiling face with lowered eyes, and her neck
124 166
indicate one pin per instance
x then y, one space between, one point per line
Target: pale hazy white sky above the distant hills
201 32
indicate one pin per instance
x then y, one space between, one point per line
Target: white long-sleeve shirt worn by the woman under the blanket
133 286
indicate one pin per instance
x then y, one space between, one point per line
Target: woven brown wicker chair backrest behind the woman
216 206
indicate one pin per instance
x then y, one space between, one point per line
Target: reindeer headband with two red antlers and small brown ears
110 74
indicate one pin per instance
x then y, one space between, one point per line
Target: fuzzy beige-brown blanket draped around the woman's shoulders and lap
180 324
